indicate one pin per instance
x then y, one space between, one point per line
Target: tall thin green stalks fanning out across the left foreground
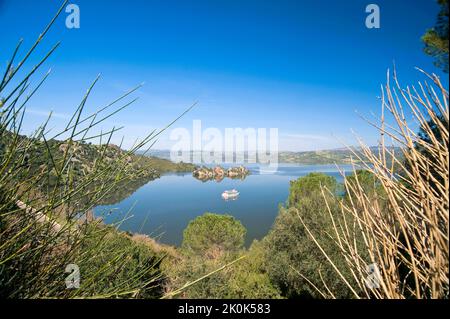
43 224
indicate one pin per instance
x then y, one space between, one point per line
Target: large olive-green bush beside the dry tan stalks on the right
290 253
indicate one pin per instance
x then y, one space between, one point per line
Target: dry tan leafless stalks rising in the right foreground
403 231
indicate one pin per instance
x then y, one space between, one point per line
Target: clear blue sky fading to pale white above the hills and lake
304 67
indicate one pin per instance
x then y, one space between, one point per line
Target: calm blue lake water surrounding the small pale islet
163 208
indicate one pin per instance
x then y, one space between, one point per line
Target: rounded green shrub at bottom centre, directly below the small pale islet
210 242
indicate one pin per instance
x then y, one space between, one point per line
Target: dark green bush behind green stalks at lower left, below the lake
118 264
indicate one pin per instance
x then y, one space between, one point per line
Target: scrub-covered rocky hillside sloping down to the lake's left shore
83 158
